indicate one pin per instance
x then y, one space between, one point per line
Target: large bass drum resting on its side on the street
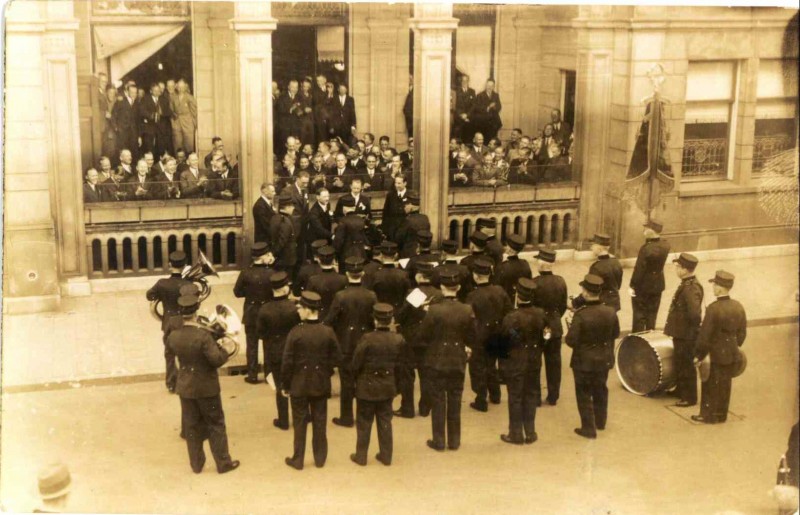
645 362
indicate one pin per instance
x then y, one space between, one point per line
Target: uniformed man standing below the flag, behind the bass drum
647 281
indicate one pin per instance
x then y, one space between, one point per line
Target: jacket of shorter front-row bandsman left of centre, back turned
375 364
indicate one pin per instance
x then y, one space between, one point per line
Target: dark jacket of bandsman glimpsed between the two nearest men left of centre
350 315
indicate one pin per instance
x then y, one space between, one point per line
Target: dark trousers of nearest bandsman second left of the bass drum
523 386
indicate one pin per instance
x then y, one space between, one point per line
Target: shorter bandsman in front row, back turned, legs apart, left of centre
376 364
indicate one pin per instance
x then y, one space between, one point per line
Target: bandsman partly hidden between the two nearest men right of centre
490 304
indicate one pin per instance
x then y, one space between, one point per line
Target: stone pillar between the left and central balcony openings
254 26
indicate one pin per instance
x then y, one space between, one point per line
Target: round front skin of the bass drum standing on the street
638 365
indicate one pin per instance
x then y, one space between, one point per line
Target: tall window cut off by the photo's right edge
776 110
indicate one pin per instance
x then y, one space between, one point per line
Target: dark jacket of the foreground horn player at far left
199 356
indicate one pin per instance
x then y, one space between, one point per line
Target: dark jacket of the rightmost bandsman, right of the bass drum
723 331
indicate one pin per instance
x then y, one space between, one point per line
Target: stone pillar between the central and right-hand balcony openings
433 26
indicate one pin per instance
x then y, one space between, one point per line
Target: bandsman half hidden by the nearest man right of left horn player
275 320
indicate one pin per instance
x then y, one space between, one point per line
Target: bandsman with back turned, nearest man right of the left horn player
310 354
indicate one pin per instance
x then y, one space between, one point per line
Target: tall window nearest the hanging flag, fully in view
711 102
